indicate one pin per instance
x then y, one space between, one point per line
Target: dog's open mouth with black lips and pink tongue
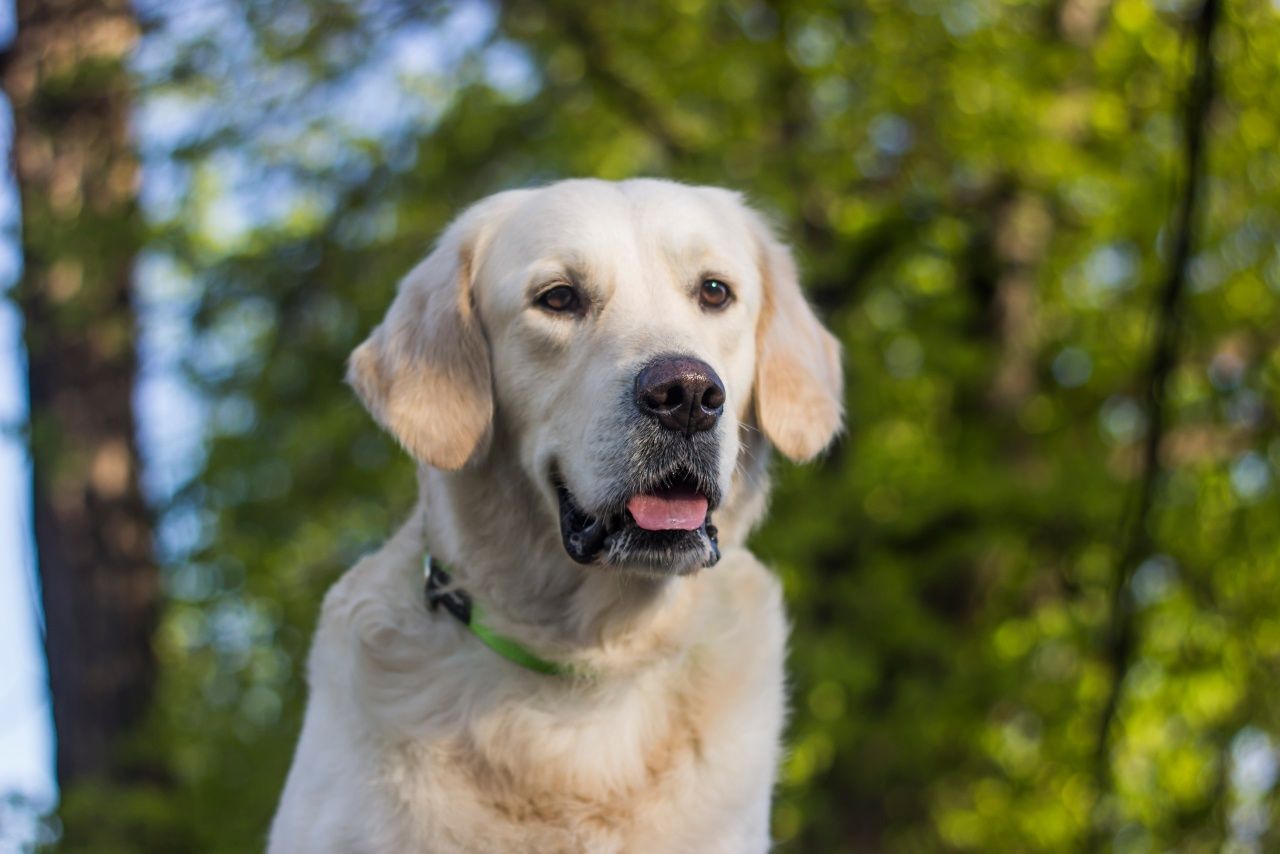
666 527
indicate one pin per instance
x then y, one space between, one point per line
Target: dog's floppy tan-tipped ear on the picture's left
424 372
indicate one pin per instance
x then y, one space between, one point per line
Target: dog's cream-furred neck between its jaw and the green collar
502 544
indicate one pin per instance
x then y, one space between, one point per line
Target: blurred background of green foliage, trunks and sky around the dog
1035 591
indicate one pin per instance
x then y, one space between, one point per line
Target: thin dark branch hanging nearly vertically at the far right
1122 637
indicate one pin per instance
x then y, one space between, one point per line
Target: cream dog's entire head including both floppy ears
621 339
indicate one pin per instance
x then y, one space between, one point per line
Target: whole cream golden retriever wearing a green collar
591 377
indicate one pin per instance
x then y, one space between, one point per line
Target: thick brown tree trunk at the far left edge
77 177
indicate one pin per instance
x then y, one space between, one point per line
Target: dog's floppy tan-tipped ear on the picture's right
799 381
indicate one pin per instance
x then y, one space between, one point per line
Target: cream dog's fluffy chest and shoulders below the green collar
419 738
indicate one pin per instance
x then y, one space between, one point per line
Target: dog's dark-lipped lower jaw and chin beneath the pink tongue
615 540
